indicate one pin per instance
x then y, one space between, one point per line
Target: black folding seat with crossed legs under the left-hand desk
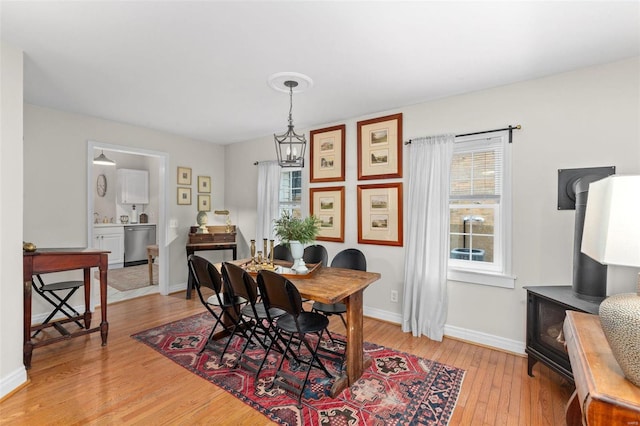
49 292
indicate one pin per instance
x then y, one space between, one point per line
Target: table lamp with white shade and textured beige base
612 237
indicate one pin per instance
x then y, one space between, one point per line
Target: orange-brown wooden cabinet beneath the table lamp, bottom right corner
603 396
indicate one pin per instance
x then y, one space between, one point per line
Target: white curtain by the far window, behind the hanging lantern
268 194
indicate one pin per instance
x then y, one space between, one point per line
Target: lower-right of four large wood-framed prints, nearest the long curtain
380 214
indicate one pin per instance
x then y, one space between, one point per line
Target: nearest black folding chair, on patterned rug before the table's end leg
278 292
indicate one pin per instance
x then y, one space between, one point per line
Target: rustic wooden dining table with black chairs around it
333 285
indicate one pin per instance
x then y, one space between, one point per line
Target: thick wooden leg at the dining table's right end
356 361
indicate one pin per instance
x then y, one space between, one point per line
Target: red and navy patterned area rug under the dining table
398 388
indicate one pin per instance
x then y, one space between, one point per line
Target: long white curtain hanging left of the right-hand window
427 250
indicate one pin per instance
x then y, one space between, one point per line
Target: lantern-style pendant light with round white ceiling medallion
290 146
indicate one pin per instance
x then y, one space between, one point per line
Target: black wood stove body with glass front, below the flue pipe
546 310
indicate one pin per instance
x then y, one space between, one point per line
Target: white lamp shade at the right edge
612 221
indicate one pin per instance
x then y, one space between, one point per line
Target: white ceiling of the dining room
200 68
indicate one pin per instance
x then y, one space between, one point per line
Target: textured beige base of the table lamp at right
620 319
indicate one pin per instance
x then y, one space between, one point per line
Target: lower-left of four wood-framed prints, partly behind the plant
327 204
